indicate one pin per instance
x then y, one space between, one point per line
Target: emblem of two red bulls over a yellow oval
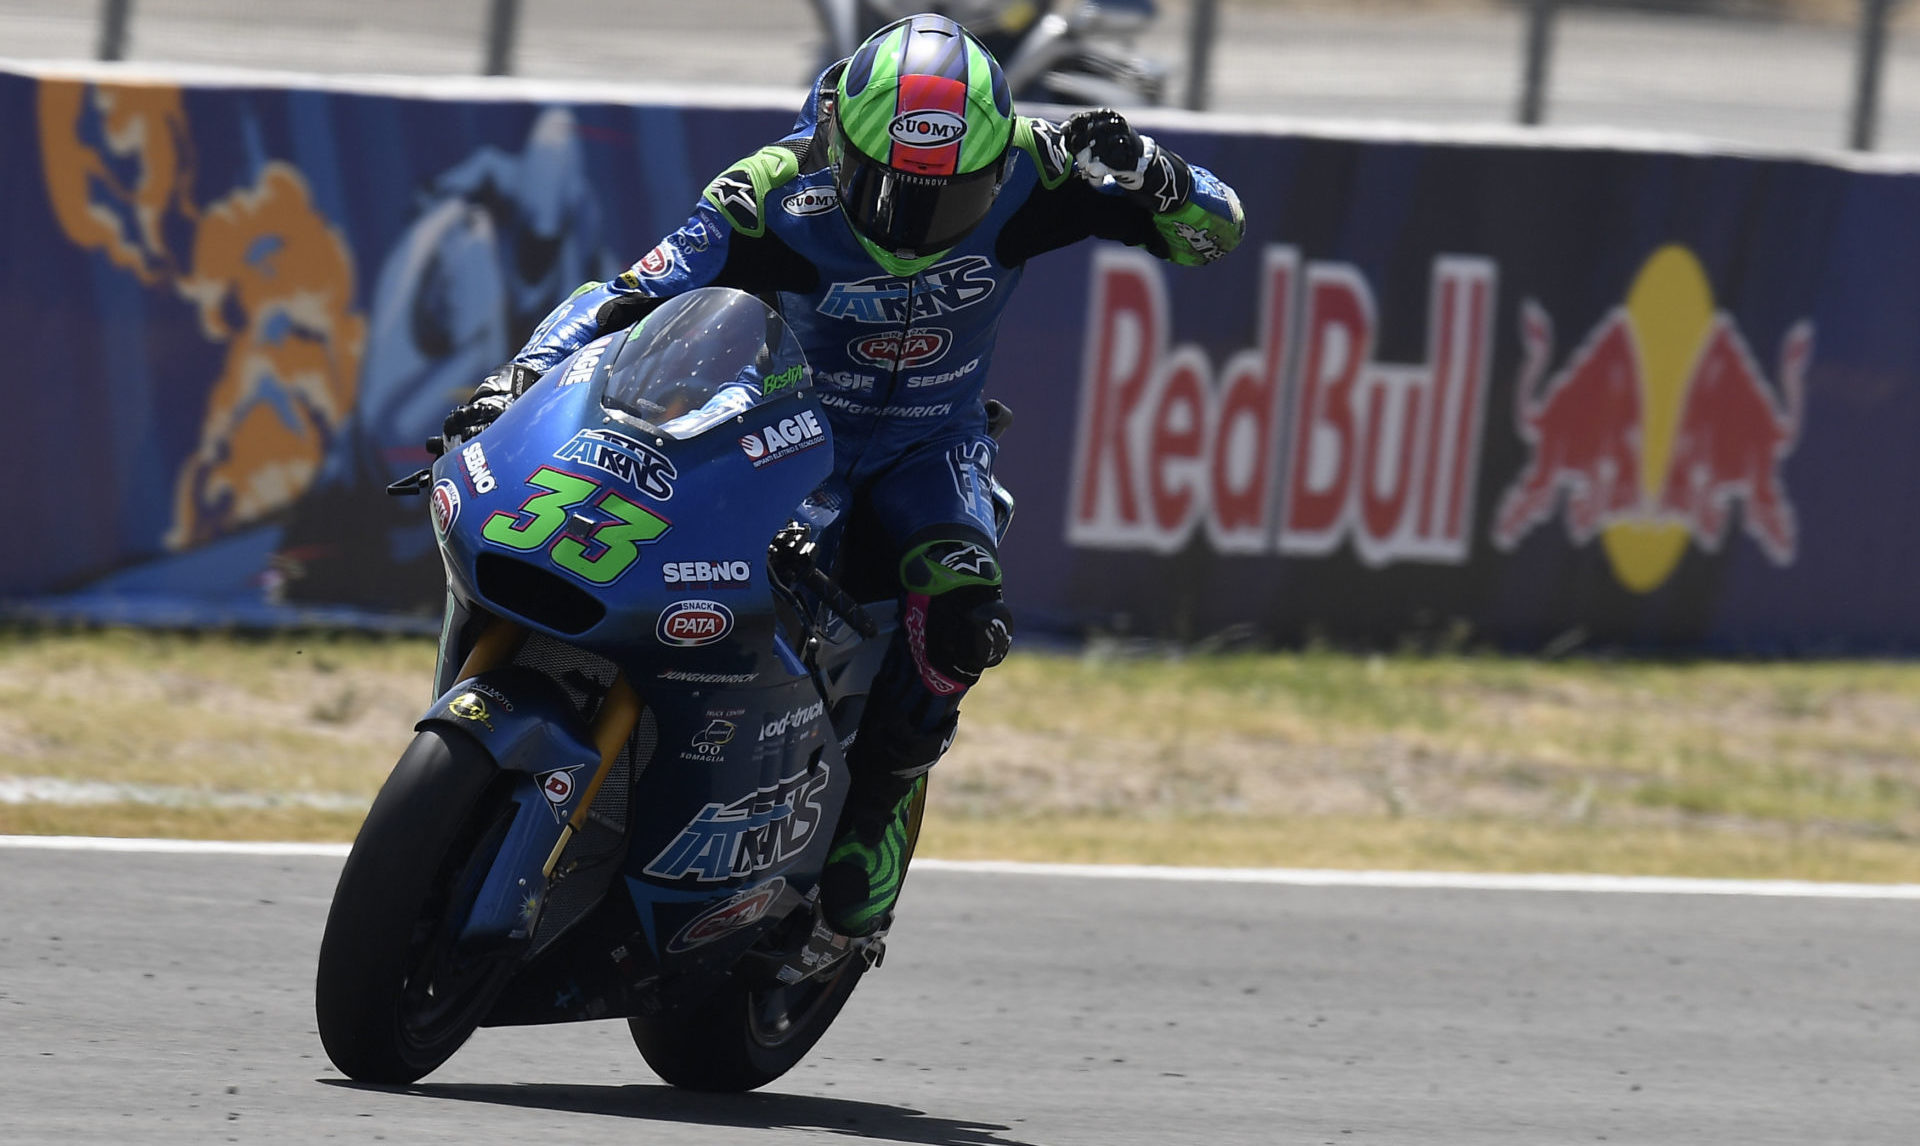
1656 427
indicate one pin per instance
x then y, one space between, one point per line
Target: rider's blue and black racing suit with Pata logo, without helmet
901 362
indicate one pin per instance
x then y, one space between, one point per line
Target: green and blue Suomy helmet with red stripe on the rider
919 141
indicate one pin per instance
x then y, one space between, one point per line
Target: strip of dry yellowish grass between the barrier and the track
1307 759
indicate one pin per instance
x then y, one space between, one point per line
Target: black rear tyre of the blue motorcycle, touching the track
746 1038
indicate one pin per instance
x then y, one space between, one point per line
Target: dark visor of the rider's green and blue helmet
911 216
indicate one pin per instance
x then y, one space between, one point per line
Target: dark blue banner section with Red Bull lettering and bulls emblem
1529 396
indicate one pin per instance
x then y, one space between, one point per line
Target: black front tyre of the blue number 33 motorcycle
395 995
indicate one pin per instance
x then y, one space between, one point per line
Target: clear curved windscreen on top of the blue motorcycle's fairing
700 360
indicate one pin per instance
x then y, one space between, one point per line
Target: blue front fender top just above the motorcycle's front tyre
519 717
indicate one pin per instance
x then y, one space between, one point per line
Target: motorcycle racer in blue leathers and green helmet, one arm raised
907 160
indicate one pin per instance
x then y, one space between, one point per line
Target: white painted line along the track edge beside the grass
1284 876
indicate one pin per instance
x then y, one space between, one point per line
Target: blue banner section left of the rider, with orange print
237 314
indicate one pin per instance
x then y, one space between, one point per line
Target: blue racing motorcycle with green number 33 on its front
623 798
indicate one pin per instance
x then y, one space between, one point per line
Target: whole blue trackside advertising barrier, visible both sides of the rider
1537 394
